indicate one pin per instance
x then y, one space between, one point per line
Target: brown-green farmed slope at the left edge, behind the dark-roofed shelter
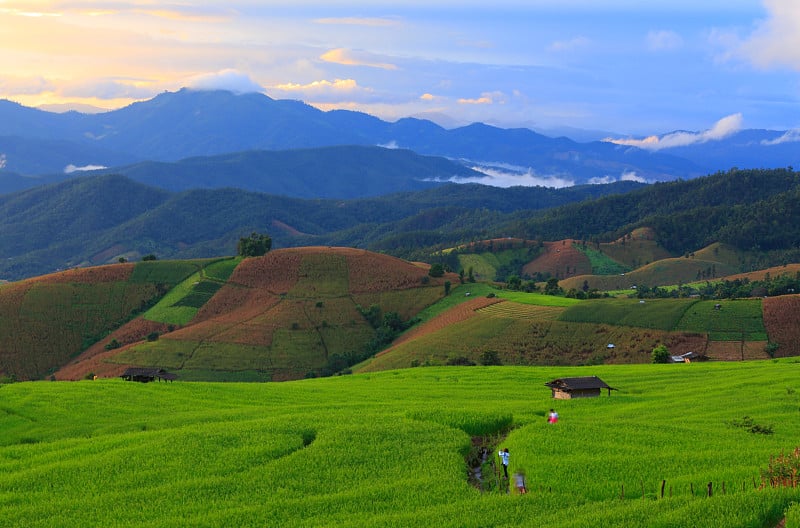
49 320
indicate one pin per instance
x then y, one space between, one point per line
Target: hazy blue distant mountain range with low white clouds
214 128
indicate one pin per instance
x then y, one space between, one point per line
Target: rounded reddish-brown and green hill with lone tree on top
290 314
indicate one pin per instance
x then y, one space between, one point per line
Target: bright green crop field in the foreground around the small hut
388 449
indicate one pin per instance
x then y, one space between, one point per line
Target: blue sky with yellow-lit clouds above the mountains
627 68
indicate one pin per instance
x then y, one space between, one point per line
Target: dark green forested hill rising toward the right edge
750 209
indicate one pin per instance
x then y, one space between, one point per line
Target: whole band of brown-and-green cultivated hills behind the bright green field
304 312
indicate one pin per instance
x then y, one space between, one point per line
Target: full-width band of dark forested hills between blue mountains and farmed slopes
96 220
